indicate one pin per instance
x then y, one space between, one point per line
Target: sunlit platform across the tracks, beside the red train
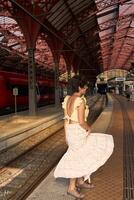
12 123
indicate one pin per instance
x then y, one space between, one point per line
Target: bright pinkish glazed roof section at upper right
116 24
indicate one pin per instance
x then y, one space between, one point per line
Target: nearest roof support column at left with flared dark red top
25 13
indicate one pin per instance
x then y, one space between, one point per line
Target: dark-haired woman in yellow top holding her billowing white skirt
86 151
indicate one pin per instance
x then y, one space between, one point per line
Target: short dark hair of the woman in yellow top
74 83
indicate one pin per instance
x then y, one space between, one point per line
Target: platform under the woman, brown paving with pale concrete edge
107 180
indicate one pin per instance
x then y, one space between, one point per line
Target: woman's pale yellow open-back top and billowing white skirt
85 153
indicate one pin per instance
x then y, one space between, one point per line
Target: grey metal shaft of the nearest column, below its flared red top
32 82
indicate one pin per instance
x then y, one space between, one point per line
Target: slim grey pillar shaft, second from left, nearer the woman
57 92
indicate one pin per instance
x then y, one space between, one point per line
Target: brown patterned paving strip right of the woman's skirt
108 180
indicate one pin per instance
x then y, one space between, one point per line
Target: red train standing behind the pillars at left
9 80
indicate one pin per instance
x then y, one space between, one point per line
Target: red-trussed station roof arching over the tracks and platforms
100 33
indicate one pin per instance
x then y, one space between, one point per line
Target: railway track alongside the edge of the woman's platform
21 175
